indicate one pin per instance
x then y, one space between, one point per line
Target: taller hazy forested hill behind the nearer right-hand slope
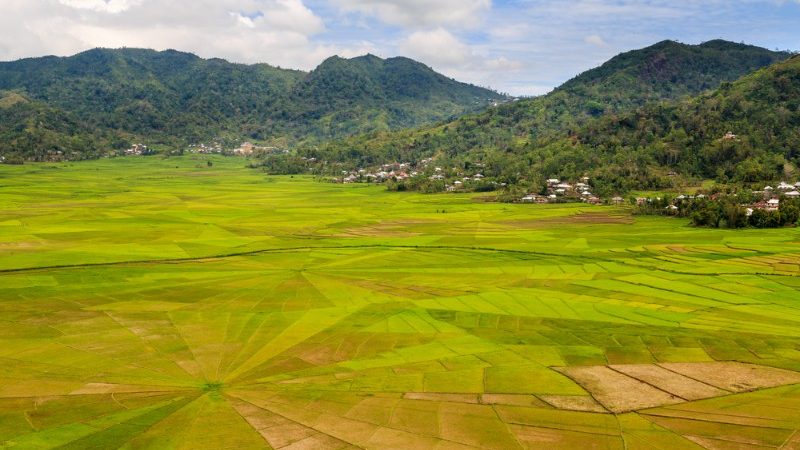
665 71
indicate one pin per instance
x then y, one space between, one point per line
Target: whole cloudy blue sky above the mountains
520 47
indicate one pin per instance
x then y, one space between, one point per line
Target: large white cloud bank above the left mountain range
280 32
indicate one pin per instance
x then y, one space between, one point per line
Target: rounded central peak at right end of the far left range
348 95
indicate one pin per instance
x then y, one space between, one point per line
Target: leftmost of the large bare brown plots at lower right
616 391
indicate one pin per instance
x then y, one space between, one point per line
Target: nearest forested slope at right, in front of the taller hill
746 131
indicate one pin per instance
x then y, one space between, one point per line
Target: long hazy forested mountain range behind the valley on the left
175 98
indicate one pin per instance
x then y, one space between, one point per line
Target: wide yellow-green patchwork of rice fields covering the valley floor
162 303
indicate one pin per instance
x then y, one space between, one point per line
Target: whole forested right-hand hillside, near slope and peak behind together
640 117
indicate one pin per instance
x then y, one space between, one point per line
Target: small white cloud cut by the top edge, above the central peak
421 13
